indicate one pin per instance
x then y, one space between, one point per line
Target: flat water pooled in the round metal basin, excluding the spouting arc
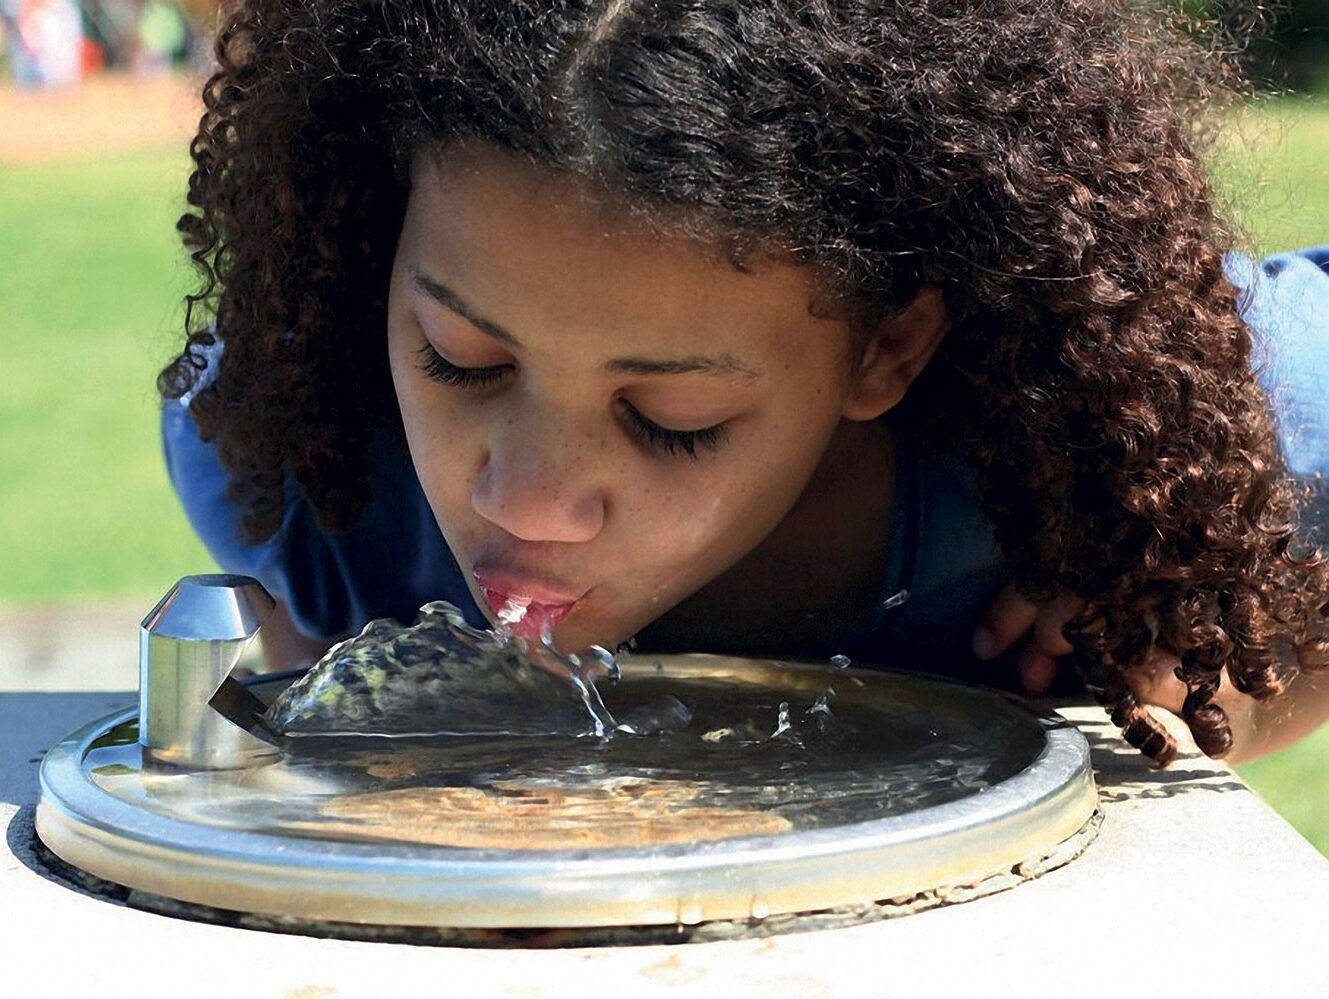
806 751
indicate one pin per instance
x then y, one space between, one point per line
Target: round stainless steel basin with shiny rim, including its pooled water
919 787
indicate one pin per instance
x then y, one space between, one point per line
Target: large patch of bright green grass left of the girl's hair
91 278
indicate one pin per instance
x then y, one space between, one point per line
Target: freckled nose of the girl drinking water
539 482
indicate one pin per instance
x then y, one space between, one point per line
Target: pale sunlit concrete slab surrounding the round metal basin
1193 888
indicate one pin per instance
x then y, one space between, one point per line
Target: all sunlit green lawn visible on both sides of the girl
91 281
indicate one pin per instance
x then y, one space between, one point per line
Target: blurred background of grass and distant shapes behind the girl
98 104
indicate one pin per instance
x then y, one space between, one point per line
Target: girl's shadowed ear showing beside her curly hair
899 350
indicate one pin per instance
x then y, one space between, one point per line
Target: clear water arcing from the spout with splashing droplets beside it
443 678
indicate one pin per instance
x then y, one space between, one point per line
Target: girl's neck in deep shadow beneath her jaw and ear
815 577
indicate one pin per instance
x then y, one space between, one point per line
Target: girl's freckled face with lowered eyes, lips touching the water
603 420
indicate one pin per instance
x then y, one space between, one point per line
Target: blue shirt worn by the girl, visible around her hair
942 573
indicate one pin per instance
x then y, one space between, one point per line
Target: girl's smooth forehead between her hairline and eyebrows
539 250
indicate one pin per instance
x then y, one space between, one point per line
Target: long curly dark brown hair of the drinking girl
1036 160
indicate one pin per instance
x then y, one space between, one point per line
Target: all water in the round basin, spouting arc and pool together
446 735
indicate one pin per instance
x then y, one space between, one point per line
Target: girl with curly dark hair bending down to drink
793 327
